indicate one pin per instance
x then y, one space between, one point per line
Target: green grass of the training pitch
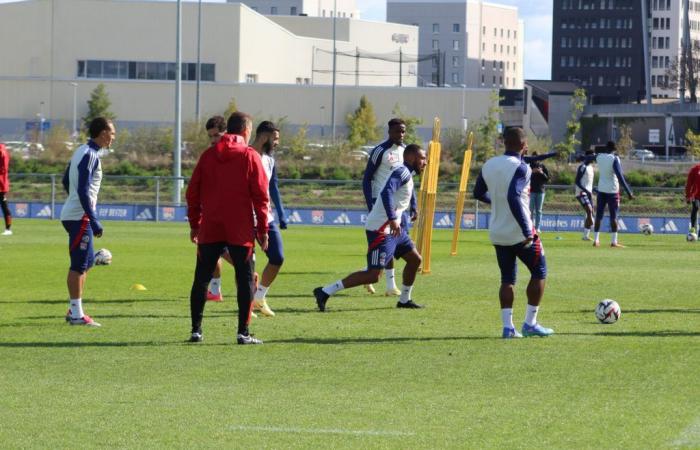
362 375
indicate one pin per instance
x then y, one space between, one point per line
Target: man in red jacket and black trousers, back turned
228 186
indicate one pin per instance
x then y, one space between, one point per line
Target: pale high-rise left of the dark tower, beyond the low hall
474 43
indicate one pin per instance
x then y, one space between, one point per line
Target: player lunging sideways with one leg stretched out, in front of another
386 238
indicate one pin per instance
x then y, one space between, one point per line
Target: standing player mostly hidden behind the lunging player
382 161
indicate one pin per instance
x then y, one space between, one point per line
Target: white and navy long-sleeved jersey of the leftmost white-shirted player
84 176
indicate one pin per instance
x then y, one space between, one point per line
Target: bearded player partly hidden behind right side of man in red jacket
267 137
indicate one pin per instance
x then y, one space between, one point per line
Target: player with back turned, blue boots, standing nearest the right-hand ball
504 183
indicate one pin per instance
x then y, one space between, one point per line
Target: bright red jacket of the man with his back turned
227 186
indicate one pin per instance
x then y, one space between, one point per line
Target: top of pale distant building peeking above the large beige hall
315 8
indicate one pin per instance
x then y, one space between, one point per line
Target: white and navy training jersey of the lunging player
399 187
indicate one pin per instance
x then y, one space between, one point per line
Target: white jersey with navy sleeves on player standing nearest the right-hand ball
507 178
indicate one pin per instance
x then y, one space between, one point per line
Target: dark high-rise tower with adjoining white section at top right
599 45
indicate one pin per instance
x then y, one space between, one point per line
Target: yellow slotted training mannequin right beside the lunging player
423 231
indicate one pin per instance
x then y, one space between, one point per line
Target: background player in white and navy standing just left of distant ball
609 179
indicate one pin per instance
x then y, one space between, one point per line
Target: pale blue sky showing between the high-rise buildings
537 15
